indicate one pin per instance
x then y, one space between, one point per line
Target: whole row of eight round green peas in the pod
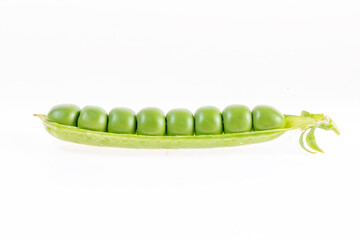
177 122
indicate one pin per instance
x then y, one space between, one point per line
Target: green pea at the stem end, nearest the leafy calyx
267 118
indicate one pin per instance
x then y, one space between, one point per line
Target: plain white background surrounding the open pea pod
294 55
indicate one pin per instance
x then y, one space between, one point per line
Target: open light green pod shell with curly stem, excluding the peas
304 122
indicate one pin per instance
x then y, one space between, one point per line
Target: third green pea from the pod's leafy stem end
208 121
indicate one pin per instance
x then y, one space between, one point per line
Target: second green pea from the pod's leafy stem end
237 119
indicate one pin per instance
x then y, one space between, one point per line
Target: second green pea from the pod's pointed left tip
93 118
